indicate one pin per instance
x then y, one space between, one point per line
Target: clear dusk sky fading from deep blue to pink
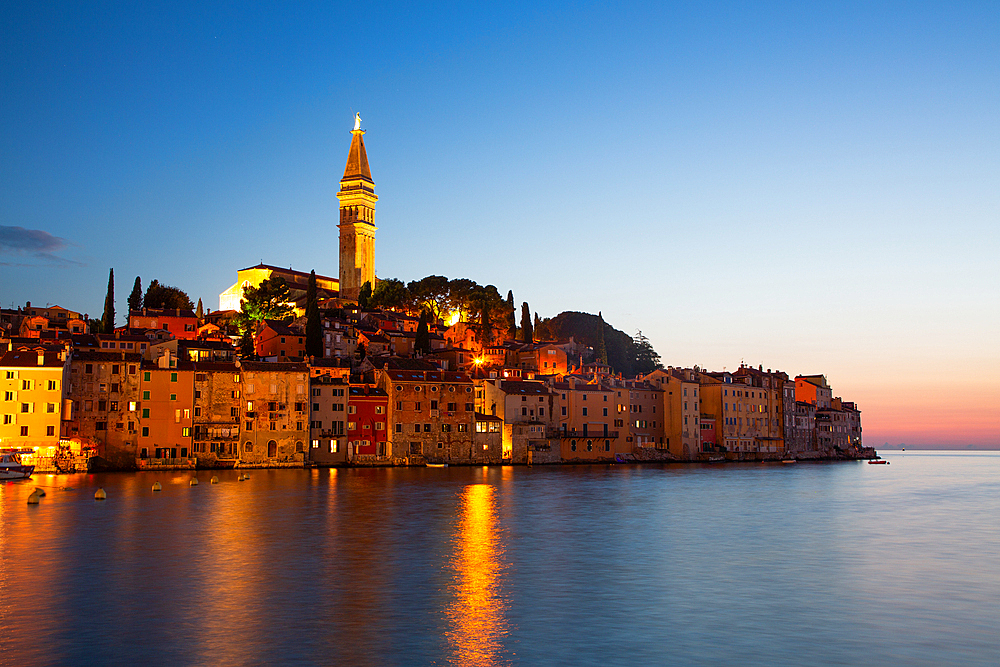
810 187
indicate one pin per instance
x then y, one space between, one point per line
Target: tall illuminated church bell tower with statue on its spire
357 219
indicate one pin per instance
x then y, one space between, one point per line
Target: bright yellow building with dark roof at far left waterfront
32 384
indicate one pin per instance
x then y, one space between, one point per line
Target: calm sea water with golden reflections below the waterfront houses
805 564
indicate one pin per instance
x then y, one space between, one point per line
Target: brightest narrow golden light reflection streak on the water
477 614
